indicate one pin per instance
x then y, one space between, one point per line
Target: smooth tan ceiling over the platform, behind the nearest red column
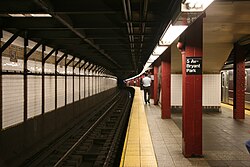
225 22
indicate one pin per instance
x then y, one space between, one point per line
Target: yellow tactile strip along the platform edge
138 148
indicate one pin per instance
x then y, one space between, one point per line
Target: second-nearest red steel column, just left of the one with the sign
166 85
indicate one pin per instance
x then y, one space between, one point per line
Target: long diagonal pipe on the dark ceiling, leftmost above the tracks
43 5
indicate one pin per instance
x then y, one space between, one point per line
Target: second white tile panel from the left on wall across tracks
34 95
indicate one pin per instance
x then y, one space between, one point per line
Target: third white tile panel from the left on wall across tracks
49 93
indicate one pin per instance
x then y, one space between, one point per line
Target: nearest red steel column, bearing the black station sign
192 91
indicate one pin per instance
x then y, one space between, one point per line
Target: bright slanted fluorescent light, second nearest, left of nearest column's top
171 33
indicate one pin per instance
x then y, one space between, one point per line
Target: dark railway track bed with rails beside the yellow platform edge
95 142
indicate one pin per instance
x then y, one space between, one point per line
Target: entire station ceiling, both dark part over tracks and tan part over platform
121 34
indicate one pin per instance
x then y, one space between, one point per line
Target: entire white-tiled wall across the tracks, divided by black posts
88 84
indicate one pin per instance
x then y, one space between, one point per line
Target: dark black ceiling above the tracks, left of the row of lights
116 34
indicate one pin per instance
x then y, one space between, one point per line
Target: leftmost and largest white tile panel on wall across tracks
12 100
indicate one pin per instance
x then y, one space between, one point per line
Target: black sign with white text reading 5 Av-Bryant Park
193 65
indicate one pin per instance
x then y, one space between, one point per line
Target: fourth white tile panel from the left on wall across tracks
60 91
